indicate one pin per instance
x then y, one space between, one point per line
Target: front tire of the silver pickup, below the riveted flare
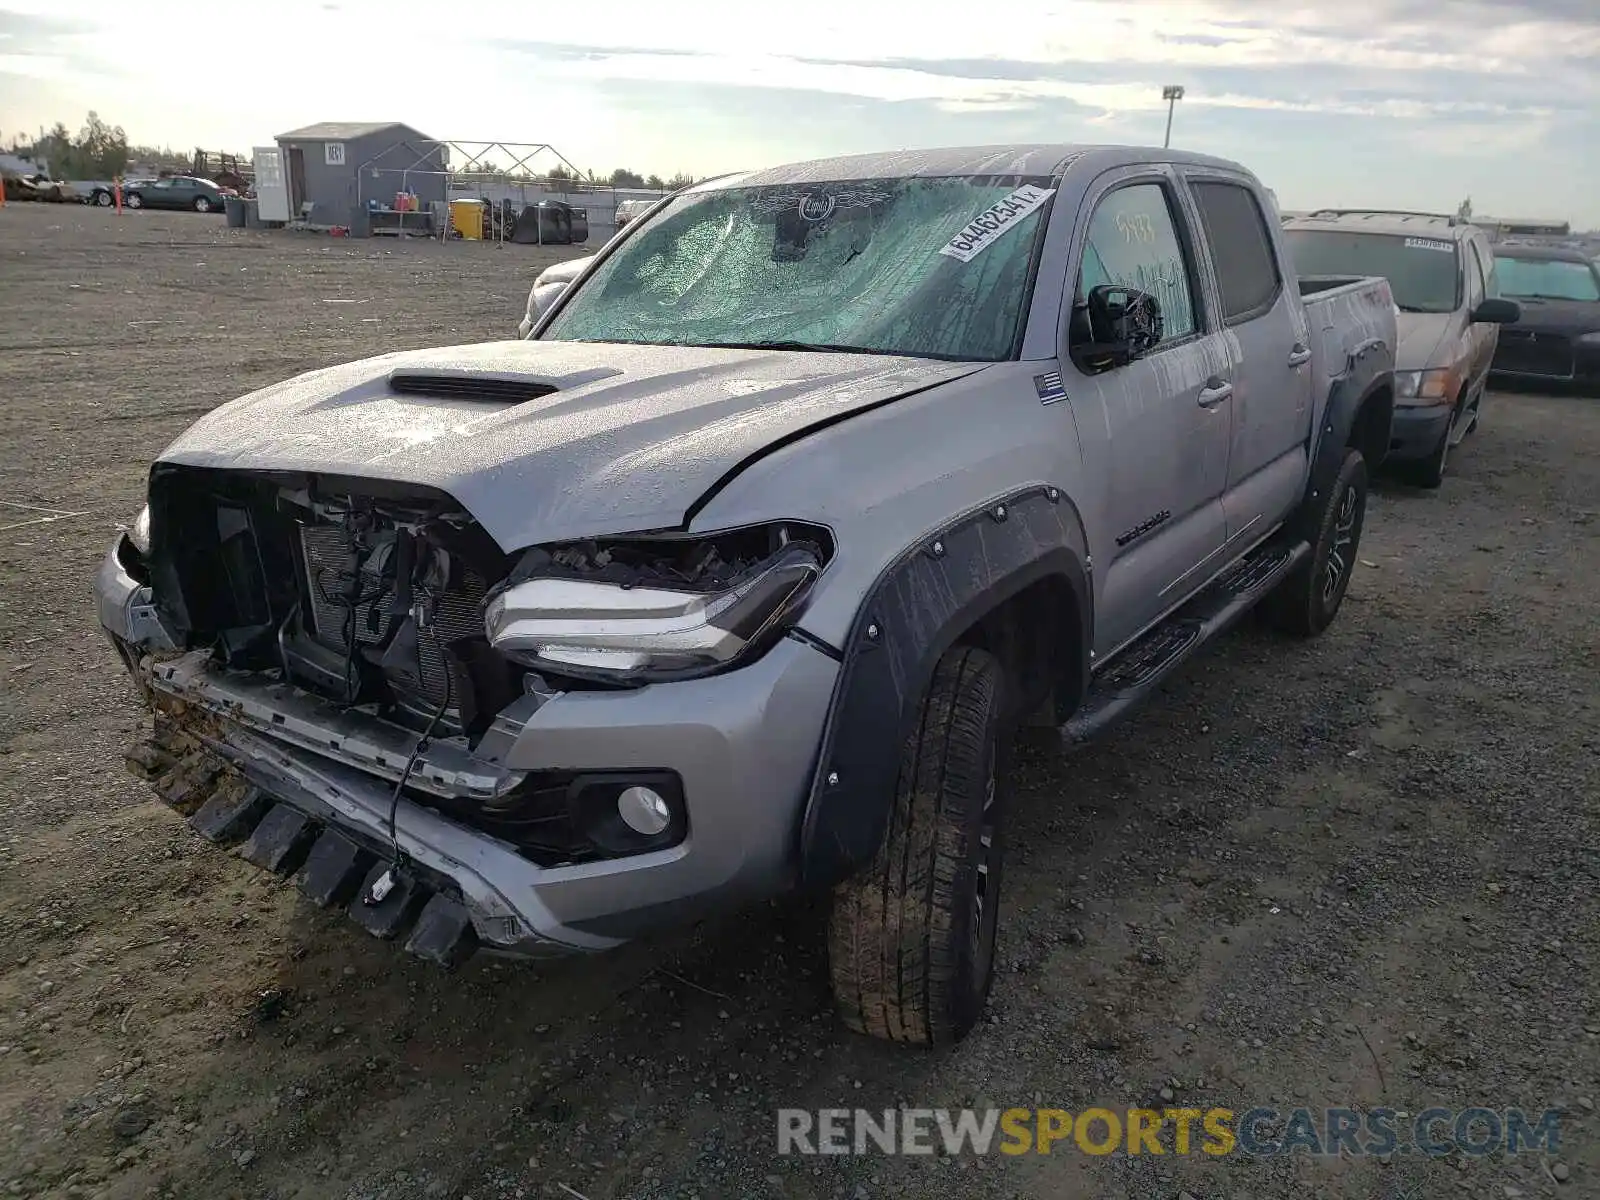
913 938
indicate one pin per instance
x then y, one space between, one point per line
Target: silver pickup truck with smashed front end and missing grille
742 570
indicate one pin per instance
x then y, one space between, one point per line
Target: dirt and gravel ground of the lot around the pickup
1356 873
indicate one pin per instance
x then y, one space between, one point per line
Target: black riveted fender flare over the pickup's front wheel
918 609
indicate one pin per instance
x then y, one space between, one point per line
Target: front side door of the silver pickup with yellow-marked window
1158 426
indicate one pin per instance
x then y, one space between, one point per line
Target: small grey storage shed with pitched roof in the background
338 167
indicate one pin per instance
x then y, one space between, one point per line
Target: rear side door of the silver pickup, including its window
1270 343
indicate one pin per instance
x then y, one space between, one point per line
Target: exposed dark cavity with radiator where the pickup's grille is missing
367 598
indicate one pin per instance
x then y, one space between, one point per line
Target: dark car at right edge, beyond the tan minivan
1559 335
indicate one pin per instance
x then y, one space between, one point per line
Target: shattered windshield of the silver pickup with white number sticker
924 266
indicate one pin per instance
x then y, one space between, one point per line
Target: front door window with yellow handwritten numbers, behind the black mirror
1134 244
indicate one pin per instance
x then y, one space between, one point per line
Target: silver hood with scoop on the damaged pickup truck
628 441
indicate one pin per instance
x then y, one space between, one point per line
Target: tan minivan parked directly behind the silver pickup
1441 271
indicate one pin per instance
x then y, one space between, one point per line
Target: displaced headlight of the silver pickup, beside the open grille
590 615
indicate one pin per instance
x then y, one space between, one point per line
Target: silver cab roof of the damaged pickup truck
1034 159
